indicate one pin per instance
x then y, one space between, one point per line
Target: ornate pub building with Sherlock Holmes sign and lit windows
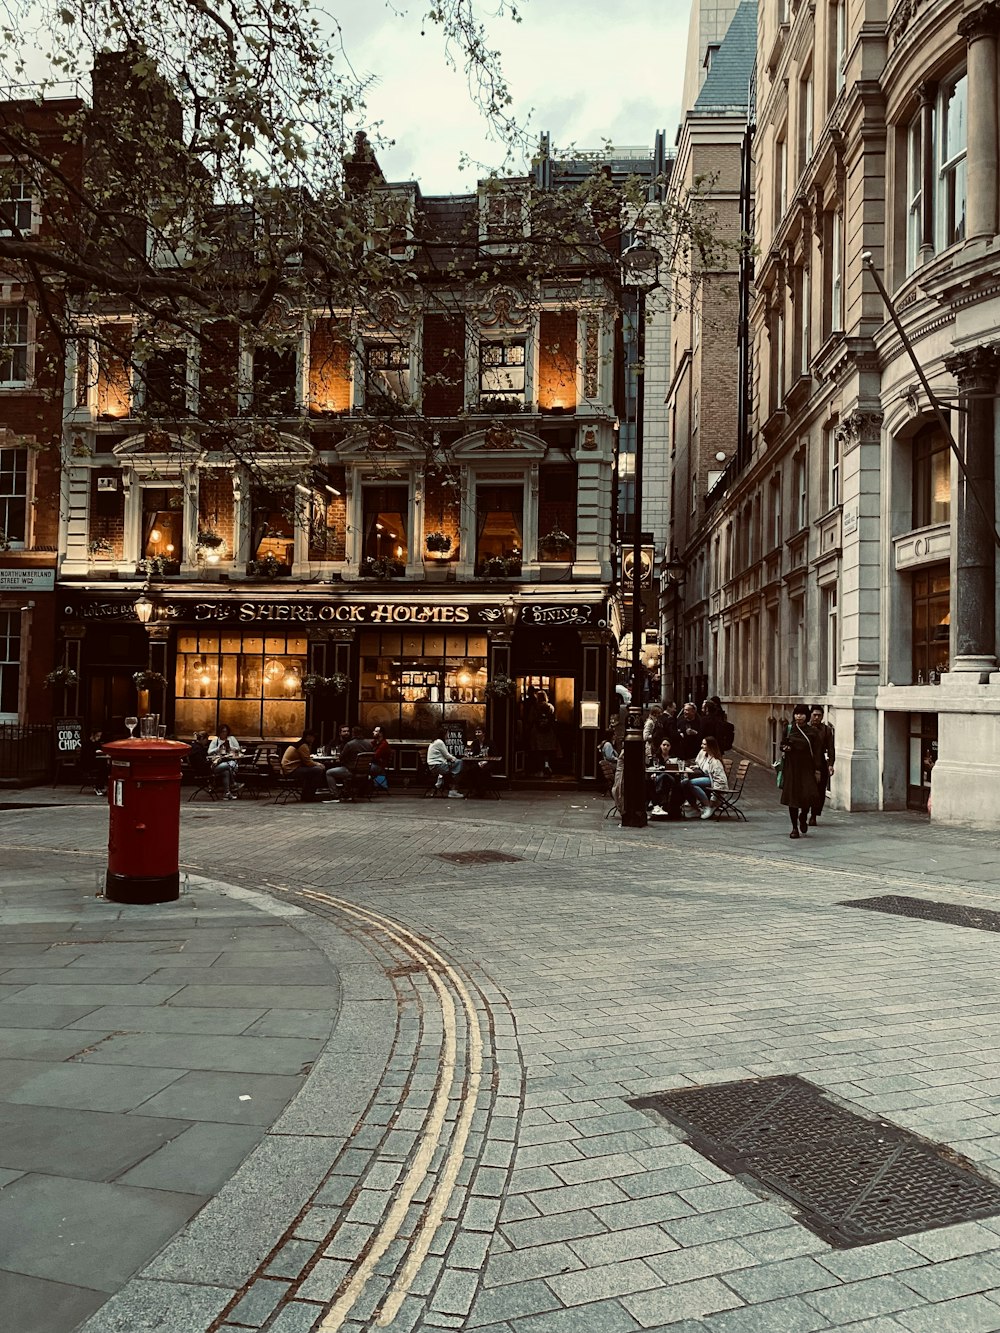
413 523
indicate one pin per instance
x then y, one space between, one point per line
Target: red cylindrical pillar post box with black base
145 820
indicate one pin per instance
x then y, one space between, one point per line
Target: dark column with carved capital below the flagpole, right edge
974 567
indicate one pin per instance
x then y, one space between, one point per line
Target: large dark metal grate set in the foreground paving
853 1180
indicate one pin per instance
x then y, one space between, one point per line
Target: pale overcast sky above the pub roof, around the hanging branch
585 70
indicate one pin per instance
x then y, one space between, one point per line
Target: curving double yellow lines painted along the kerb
439 974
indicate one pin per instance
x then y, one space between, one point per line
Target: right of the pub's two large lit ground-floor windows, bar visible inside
411 684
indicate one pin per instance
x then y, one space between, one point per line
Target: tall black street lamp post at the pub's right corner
641 265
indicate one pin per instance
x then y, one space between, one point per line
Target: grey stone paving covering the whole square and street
462 1152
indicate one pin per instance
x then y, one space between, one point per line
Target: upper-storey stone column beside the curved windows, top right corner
979 29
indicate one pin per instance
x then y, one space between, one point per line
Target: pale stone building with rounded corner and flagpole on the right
849 557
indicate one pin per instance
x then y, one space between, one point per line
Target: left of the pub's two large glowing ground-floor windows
251 683
